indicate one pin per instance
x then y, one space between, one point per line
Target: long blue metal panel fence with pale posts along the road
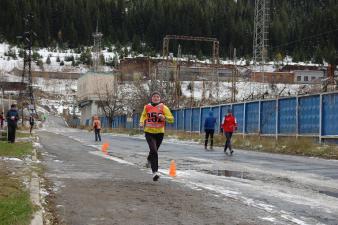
310 115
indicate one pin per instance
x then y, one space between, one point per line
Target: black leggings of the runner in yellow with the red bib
154 142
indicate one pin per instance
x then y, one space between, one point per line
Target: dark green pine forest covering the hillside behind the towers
293 30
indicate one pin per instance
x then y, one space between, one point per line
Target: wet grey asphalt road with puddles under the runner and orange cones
247 188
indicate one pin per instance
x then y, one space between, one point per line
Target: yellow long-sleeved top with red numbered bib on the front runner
150 118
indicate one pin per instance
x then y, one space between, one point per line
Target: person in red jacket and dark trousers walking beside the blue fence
229 125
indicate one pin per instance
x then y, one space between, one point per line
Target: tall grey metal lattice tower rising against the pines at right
261 26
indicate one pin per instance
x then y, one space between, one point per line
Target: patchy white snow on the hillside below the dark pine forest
62 92
